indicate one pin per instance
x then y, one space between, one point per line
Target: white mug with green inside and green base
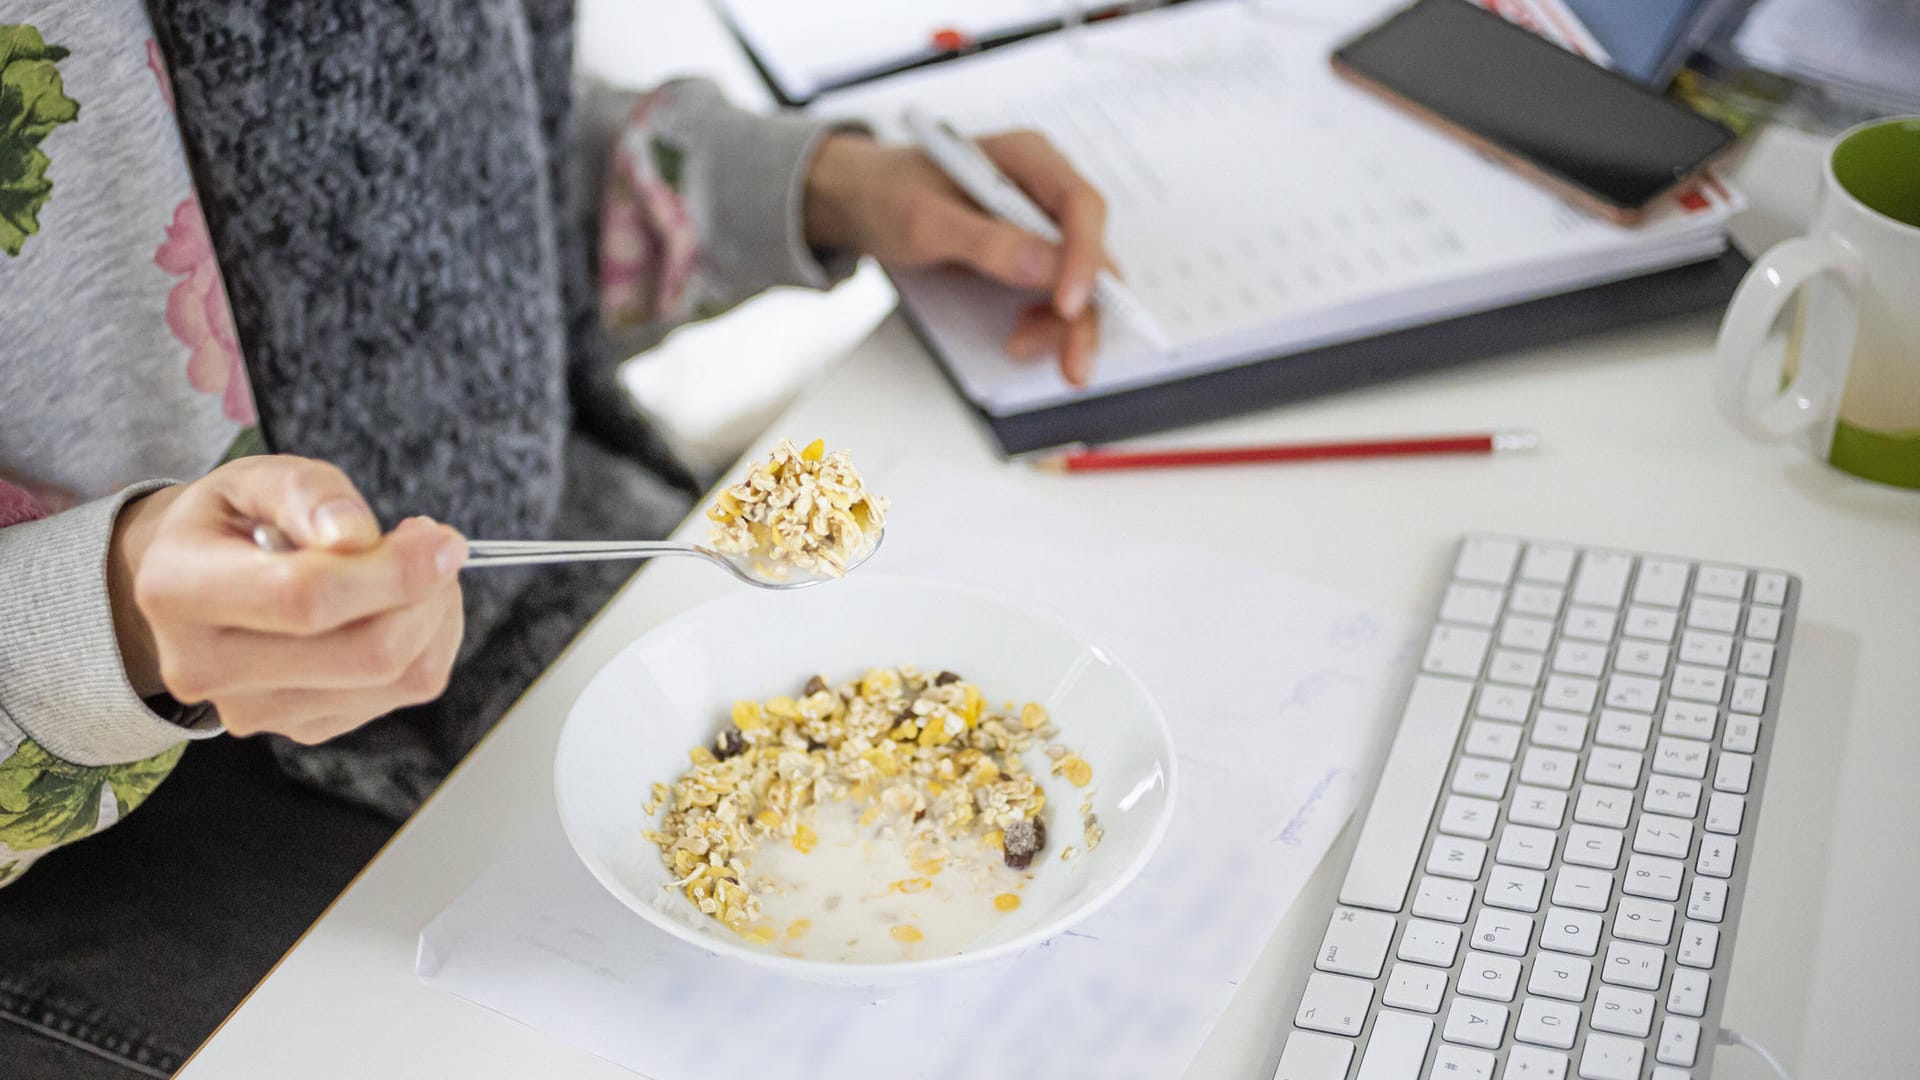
1850 385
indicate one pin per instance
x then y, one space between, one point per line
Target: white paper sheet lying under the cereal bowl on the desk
1280 695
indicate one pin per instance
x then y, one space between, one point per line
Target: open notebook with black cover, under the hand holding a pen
1291 233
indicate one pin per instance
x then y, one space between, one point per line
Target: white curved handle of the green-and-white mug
1752 397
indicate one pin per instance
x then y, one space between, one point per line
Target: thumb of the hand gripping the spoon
312 503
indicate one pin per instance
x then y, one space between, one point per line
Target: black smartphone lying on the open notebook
1591 134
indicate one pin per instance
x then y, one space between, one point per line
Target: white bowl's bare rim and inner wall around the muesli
675 687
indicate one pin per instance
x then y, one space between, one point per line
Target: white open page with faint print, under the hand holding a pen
1259 205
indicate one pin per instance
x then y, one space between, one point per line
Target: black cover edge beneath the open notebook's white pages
1301 376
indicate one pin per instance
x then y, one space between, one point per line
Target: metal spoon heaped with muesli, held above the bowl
798 520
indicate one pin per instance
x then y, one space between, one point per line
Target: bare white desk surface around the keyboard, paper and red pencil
1633 456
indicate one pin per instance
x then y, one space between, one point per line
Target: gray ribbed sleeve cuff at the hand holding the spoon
62 679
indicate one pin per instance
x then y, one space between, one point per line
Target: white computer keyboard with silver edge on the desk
1550 873
